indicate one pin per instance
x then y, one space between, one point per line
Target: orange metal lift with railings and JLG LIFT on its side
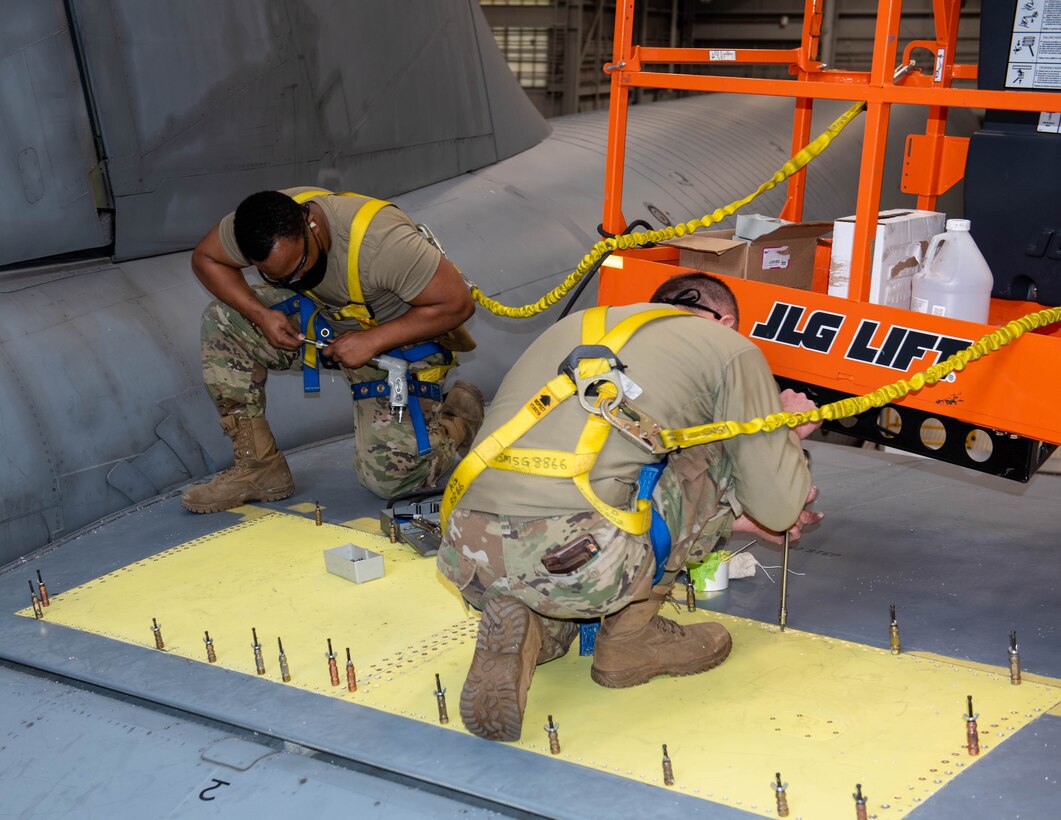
1008 402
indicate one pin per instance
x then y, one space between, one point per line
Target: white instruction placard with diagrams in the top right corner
1035 54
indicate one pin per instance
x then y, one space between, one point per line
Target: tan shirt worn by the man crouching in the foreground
692 371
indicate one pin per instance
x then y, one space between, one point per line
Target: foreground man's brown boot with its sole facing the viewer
496 692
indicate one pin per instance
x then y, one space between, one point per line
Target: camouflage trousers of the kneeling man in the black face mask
236 363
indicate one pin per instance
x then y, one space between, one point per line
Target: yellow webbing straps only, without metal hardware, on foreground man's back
496 450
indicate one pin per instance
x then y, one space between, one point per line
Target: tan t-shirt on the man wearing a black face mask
395 263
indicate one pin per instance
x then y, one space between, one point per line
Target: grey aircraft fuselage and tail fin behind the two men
131 128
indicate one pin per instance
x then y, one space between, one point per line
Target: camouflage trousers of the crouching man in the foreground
489 555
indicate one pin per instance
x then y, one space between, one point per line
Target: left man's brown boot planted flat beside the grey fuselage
260 472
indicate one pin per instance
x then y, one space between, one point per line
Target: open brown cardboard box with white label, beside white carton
785 256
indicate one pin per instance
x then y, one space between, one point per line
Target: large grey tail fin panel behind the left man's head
381 96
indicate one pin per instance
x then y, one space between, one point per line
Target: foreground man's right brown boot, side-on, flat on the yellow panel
635 645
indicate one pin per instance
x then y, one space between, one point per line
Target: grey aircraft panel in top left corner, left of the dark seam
46 143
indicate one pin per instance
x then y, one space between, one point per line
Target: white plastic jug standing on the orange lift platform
955 281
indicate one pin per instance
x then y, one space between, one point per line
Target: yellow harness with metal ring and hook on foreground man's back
593 374
